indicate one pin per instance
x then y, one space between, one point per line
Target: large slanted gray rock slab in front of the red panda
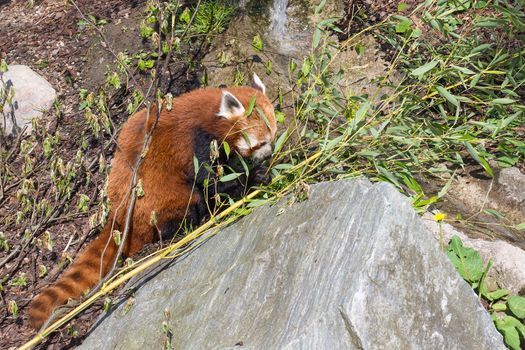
350 268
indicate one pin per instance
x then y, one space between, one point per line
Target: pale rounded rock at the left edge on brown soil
33 96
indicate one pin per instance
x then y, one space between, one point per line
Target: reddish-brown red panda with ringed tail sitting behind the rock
172 189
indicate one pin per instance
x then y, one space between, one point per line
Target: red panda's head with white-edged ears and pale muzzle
251 135
